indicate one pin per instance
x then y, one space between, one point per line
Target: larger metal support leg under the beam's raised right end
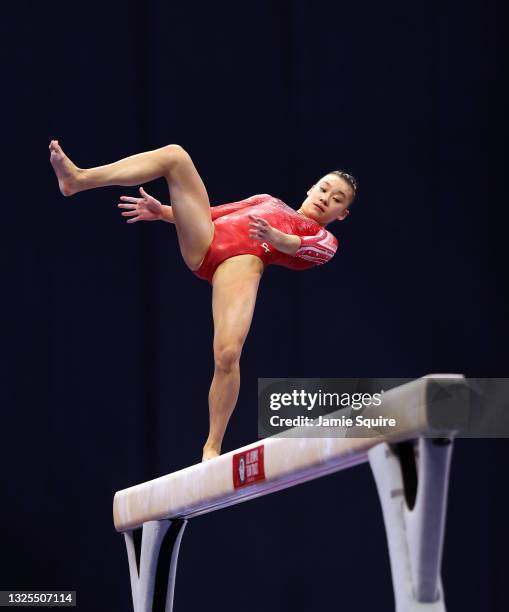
412 482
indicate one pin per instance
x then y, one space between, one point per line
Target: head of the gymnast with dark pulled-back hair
328 200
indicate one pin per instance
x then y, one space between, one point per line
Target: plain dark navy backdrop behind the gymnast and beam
107 336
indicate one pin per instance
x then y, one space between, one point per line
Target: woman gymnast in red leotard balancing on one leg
228 245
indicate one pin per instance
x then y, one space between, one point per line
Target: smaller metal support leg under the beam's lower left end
149 562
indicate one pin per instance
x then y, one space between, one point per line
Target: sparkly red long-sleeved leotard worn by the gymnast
231 236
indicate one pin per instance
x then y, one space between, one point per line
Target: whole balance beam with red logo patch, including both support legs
153 515
